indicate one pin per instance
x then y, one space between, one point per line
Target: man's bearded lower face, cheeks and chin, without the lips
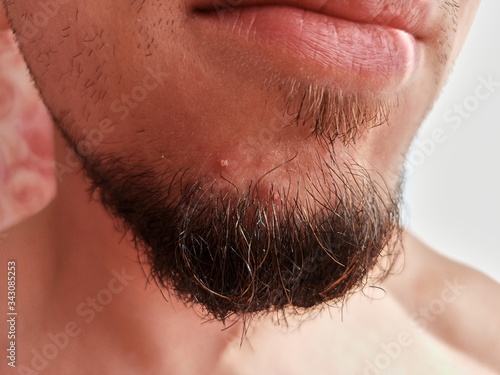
252 177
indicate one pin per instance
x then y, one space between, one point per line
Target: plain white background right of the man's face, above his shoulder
453 194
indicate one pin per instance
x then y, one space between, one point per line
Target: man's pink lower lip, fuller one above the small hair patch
355 56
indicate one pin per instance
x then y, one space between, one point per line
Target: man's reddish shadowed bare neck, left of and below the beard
85 283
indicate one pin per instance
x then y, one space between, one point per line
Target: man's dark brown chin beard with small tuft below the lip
243 252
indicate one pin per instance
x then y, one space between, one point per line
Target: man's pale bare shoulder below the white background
457 304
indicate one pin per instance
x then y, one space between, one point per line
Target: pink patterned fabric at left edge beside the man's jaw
27 179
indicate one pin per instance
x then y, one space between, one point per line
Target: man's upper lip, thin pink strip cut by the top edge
411 16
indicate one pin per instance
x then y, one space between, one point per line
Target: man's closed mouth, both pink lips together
359 47
